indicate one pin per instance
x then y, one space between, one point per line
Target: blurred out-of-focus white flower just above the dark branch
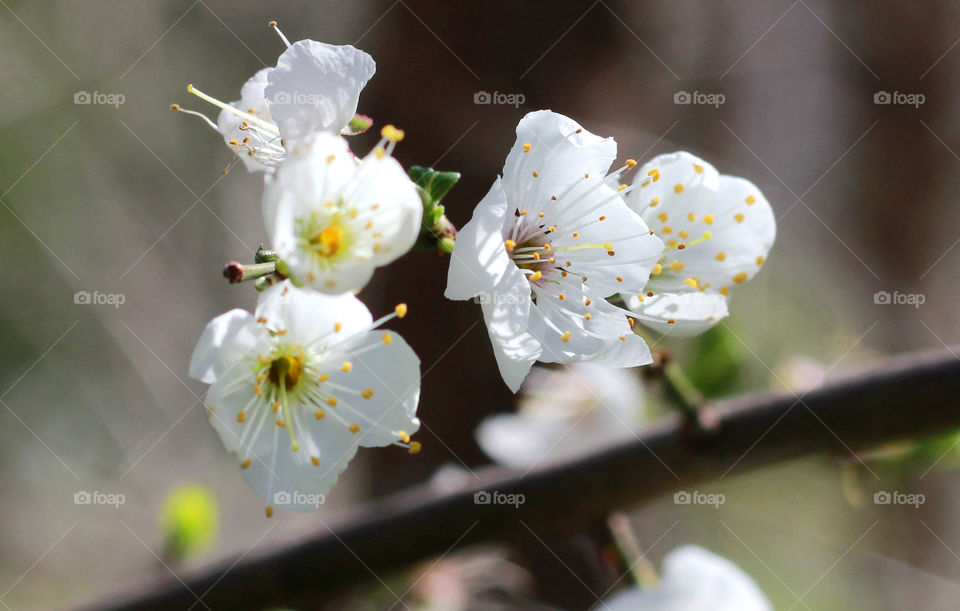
565 413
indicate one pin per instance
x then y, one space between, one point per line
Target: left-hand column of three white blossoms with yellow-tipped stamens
308 378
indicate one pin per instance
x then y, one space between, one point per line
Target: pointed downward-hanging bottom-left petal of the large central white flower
506 313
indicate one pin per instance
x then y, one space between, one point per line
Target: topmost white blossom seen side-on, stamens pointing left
314 87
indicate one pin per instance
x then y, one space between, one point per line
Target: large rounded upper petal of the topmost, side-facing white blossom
316 87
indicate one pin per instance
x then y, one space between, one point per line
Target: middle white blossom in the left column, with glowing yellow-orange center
333 220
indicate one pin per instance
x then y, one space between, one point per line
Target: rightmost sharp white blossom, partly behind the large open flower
717 230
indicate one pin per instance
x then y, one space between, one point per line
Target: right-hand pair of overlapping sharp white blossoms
567 258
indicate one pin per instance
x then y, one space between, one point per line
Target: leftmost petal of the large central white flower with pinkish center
479 260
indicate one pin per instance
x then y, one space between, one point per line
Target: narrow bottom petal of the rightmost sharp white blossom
693 312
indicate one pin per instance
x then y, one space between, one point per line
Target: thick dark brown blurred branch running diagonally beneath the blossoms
907 396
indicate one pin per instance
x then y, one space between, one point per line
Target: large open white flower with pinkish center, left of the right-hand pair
550 241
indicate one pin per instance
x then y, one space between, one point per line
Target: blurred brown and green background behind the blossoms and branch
128 200
